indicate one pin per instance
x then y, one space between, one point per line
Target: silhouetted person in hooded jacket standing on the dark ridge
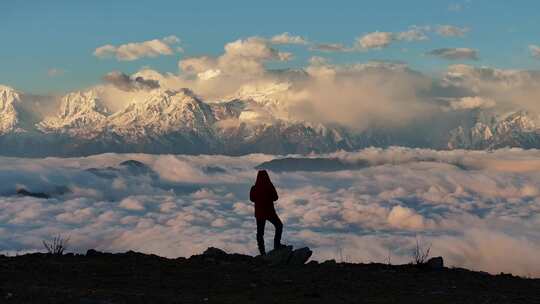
264 194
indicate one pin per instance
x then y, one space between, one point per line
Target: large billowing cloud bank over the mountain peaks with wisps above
388 94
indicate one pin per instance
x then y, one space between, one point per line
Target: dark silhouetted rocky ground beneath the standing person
217 277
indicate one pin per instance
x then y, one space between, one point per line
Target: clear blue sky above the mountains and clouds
38 36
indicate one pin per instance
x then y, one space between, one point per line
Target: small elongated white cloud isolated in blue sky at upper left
136 50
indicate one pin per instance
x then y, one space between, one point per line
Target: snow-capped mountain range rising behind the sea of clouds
250 121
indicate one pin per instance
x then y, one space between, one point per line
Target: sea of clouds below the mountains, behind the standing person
479 210
